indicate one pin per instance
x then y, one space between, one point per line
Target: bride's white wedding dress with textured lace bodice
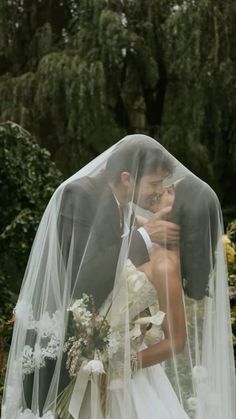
152 395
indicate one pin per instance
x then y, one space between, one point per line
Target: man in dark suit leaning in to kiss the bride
95 213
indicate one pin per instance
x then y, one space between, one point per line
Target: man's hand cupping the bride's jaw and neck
162 231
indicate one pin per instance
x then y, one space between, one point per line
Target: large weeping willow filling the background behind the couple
81 74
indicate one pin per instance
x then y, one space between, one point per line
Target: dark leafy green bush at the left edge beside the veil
27 180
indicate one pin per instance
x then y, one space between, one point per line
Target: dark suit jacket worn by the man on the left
90 228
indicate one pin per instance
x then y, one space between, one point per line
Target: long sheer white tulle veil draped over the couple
76 266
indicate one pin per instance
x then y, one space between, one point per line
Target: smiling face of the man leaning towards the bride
148 187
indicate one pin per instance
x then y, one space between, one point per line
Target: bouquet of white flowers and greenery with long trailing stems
88 347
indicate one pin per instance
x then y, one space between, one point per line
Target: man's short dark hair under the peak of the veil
139 157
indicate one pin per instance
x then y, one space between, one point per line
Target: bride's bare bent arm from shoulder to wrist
164 272
